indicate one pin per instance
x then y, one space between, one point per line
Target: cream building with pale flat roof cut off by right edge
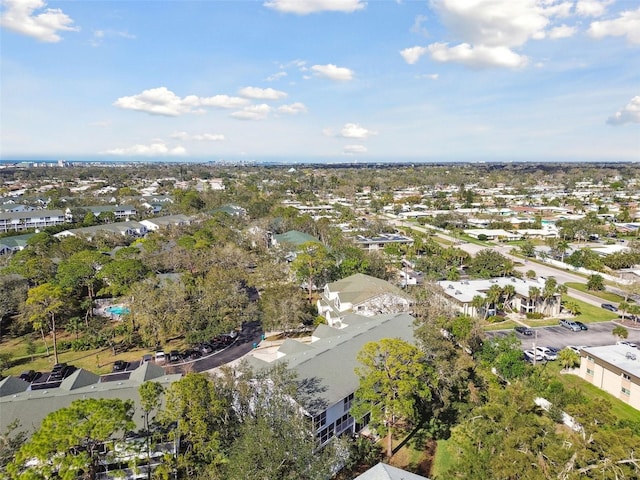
614 369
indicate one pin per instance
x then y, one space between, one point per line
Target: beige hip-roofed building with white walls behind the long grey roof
361 294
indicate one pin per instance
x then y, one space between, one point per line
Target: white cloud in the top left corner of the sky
20 17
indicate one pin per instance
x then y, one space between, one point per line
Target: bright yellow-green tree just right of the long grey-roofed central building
393 382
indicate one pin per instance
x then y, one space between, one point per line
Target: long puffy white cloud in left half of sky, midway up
162 101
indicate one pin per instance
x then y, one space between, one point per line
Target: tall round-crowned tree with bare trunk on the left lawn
44 303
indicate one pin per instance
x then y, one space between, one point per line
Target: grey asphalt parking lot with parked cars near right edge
598 334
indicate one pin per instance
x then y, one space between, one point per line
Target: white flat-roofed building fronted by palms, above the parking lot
460 295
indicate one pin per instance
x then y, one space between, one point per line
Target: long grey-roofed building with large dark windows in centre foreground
325 368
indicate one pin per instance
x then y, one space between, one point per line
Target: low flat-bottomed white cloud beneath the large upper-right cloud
479 56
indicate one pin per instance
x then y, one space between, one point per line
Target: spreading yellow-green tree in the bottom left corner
69 442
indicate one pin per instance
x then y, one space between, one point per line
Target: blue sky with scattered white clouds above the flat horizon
320 80
